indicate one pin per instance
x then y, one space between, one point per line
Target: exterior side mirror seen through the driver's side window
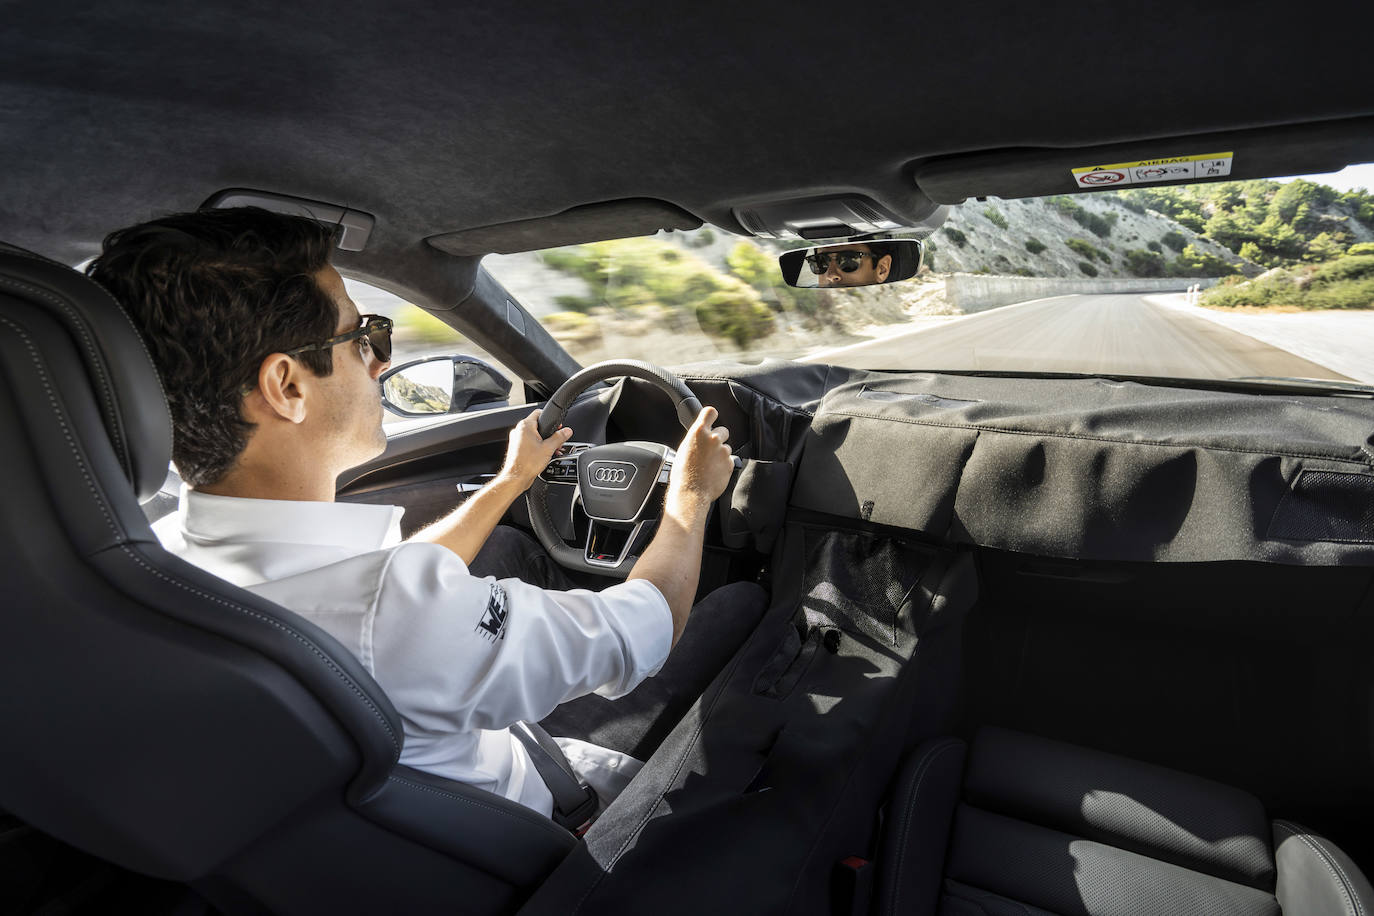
443 385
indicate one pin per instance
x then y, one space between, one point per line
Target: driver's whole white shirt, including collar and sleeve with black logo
461 659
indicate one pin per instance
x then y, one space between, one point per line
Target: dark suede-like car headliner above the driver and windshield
440 117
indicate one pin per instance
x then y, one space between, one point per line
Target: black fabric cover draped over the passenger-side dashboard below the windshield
1093 469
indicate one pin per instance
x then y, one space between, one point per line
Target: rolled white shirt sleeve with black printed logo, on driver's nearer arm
462 653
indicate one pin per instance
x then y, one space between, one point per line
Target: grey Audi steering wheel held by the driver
615 481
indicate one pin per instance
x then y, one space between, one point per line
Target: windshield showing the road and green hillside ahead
1221 281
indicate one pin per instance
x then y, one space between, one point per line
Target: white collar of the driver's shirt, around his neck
352 527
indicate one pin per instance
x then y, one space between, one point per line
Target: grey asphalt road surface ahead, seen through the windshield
1122 334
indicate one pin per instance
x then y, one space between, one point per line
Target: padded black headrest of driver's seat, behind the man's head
126 384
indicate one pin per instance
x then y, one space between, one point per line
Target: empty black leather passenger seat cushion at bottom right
1034 826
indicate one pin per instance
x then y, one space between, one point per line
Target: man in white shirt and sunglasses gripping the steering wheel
271 377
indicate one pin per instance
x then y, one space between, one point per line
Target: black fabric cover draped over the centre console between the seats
777 774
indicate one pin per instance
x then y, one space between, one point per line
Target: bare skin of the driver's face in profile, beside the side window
351 410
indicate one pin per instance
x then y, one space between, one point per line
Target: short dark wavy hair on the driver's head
214 293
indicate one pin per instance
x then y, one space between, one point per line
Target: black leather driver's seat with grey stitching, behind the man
171 723
